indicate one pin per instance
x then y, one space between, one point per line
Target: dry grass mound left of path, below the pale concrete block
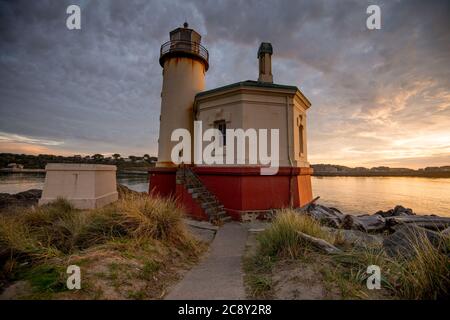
51 235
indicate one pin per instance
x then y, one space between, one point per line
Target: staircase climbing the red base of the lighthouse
200 194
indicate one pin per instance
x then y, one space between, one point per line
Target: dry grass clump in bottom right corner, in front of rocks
424 273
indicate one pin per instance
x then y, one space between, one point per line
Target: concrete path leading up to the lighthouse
218 275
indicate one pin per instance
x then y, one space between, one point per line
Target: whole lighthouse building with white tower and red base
236 190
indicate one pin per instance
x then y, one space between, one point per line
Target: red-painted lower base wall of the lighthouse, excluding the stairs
240 189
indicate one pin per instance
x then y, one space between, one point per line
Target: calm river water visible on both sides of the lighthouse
353 195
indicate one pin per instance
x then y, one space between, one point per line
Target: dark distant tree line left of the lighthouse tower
40 161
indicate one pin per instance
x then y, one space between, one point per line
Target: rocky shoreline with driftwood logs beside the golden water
394 229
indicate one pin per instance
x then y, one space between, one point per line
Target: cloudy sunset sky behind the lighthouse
379 97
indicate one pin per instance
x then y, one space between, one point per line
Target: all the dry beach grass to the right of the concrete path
424 273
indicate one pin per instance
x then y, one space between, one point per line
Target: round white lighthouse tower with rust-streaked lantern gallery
185 62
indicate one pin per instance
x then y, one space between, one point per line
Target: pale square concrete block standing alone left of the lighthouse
86 186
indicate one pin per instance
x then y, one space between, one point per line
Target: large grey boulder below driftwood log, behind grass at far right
402 241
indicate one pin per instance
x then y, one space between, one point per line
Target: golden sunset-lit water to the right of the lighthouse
358 195
